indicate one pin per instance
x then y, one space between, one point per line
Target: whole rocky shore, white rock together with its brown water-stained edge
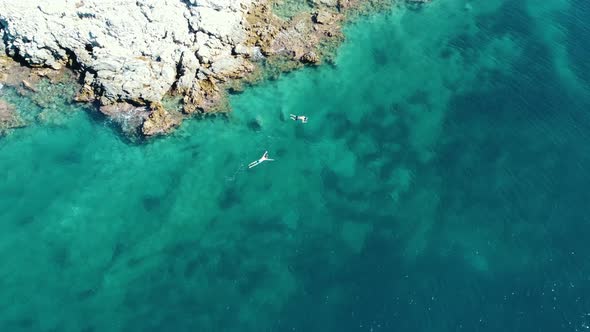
128 56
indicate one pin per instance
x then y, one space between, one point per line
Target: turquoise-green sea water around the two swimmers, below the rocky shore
441 184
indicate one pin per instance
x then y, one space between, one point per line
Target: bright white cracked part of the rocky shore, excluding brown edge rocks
133 48
